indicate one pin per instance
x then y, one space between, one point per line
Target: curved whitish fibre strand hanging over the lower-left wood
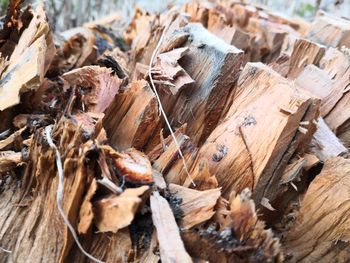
59 195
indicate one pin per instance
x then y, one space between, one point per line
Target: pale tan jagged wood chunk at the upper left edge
28 62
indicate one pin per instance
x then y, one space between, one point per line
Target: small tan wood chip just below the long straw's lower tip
197 206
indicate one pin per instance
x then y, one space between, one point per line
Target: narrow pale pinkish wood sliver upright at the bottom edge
170 244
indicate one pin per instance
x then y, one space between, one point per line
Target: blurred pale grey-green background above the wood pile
65 14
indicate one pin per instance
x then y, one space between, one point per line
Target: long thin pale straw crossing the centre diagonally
161 106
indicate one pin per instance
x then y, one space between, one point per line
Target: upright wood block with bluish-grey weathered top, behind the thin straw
201 104
